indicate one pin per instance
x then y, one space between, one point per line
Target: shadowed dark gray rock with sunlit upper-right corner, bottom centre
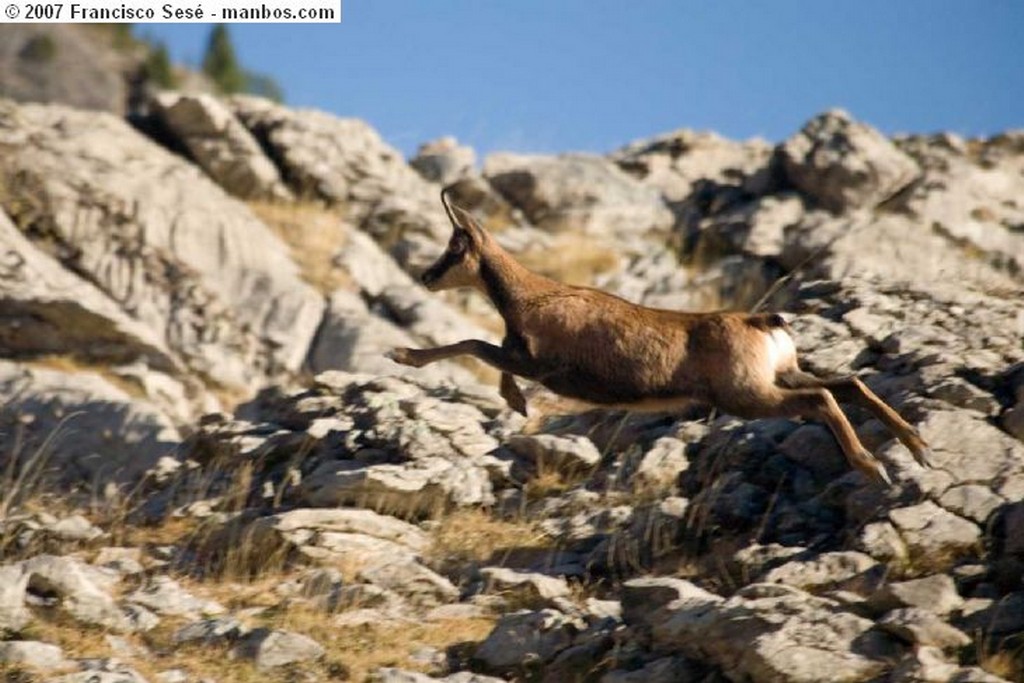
527 639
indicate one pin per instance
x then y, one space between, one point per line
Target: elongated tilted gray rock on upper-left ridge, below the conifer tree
221 145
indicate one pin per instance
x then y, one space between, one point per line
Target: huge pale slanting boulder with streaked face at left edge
159 238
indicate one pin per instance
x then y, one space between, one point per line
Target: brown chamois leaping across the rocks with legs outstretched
586 345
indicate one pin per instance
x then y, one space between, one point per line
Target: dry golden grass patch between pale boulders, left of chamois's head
315 235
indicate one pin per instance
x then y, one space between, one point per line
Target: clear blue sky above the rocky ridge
592 75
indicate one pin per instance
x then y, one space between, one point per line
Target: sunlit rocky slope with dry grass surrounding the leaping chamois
211 473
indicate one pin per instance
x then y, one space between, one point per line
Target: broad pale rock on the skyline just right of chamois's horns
578 193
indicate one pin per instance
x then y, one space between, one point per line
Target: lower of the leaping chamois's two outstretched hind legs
819 404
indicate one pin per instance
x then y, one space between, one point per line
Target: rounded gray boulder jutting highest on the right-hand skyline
844 164
